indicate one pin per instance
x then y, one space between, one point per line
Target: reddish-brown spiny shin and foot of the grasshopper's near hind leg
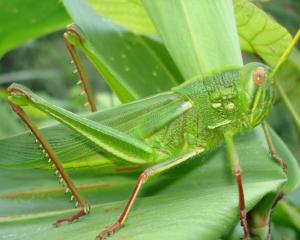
60 172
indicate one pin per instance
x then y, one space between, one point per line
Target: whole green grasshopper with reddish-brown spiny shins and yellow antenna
166 129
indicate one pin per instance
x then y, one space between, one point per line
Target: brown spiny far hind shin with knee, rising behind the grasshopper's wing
73 34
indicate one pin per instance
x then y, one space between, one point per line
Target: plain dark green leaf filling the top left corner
21 21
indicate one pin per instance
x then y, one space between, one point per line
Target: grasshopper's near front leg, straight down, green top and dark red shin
236 169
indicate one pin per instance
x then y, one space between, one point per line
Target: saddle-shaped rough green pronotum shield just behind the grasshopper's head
215 99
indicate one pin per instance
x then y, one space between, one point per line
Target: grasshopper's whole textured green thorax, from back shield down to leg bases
215 108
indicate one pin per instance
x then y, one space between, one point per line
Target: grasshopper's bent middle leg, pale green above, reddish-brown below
149 172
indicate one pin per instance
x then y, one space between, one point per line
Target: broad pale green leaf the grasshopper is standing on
195 200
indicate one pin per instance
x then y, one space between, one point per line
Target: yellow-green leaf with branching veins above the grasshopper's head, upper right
259 33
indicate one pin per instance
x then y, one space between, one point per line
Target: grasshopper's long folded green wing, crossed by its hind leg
139 119
